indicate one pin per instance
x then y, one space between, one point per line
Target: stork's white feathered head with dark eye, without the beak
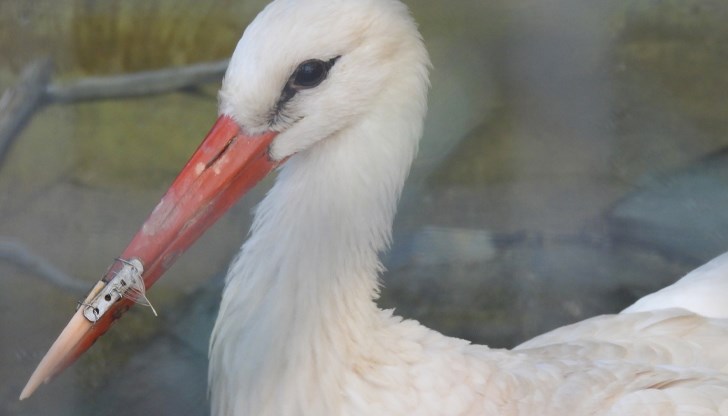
307 69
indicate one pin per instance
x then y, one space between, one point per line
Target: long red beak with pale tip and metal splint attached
227 164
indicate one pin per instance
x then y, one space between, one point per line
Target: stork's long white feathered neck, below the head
298 306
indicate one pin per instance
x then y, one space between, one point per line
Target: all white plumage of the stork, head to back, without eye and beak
298 332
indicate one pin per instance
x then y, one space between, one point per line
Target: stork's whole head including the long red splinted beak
304 71
